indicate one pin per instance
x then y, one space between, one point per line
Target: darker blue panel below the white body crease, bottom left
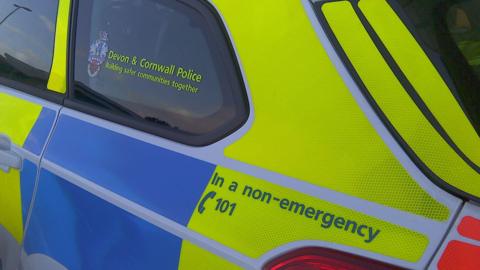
82 231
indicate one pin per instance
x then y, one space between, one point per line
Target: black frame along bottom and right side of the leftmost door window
40 92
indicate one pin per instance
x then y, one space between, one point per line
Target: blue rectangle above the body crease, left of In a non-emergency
163 181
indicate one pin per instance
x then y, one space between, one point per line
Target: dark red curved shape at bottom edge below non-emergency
324 259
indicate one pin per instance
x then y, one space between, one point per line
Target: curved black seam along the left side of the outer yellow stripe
349 66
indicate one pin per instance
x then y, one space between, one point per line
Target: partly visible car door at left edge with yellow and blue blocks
29 93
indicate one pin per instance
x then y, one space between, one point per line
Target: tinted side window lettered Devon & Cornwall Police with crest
162 66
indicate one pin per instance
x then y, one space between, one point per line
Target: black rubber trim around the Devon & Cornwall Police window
213 20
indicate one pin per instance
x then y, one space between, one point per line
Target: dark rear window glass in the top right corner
450 31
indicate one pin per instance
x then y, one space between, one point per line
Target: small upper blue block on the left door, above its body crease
39 134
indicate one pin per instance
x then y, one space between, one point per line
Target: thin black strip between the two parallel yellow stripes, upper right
402 78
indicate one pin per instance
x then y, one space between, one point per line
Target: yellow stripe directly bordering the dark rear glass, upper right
422 75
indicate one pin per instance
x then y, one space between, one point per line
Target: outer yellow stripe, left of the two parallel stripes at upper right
394 101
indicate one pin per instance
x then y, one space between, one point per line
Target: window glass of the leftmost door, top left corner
27 34
